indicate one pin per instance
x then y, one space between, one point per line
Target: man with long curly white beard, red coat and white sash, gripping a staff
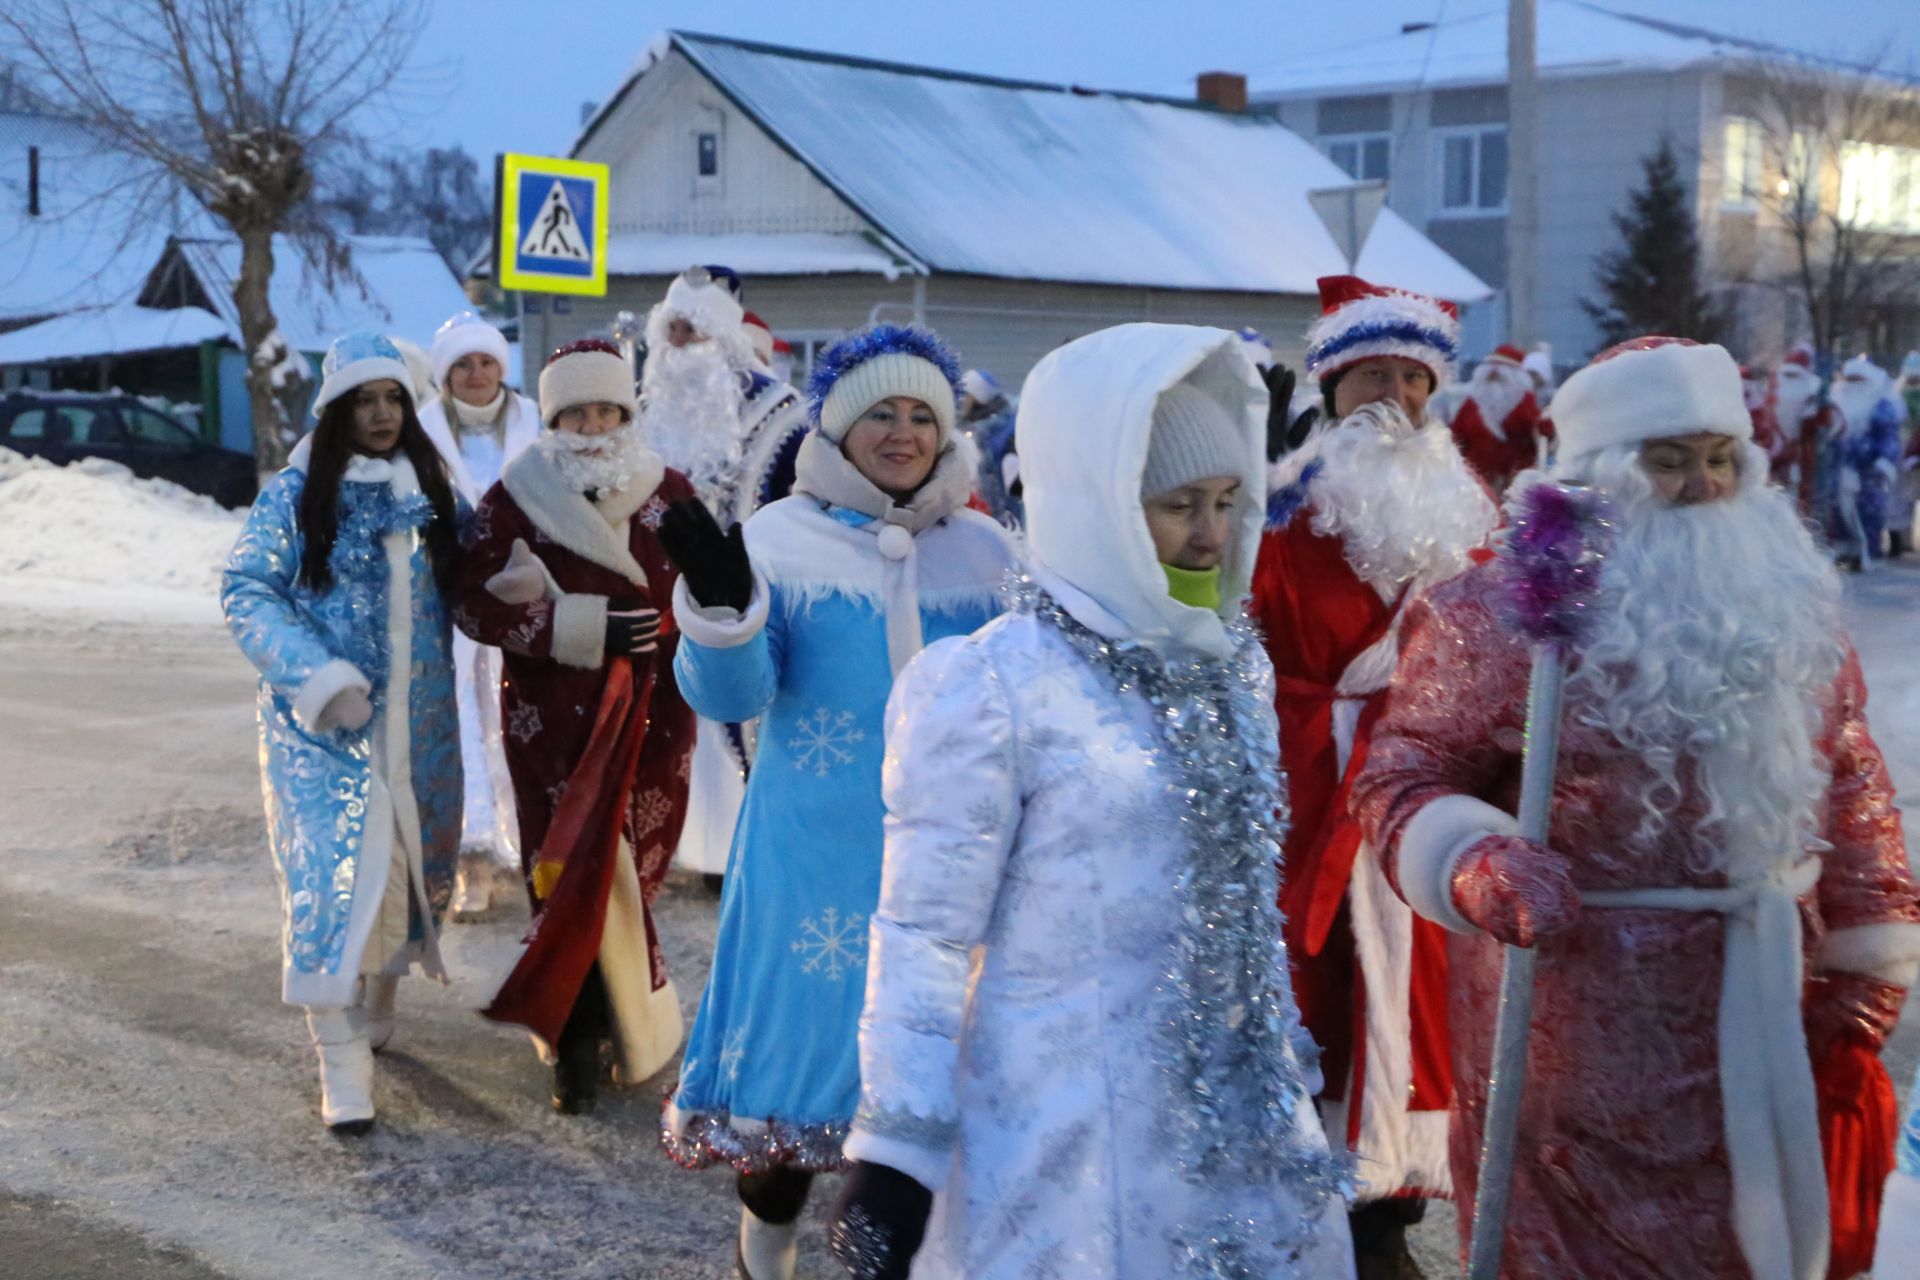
1723 909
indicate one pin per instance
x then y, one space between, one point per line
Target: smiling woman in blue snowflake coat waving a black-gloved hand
802 623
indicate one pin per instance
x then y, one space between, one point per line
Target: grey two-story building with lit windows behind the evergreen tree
1426 108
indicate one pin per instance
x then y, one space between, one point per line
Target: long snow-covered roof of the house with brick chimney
1028 181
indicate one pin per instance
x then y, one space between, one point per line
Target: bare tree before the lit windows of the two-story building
1821 172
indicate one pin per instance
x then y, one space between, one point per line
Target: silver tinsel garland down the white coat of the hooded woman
1234 1051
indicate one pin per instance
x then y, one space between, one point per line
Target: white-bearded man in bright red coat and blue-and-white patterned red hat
1370 511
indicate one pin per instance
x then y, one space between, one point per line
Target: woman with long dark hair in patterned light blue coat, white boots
337 592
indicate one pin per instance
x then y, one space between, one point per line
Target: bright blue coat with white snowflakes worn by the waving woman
773 1072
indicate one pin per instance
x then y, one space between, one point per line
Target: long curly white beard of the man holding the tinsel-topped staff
1714 661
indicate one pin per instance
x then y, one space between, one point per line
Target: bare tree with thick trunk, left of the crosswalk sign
237 103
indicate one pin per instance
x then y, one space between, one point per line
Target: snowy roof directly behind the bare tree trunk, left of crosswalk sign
408 289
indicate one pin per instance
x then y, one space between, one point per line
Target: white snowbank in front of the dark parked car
97 525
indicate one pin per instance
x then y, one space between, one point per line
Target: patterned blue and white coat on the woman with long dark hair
341 805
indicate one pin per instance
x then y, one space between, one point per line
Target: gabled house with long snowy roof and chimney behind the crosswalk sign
1011 216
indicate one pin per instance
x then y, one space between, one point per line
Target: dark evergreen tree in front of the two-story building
1652 283
